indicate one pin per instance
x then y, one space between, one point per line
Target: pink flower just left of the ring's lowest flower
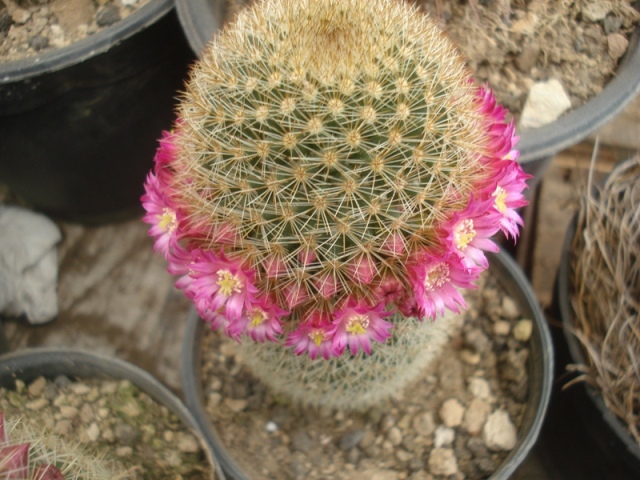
261 321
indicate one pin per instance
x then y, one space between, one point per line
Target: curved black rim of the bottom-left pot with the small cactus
29 364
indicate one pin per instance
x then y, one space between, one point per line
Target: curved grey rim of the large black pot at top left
91 46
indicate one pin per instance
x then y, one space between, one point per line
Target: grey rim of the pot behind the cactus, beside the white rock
200 20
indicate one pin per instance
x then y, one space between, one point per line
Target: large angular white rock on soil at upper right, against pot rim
545 103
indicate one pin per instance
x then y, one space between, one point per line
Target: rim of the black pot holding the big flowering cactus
513 280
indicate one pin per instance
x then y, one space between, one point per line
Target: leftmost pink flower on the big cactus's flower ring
161 215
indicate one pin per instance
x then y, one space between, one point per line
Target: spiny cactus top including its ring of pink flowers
333 170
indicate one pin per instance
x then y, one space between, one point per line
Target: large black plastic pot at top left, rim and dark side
79 125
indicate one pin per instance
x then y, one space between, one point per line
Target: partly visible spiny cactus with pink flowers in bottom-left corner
29 455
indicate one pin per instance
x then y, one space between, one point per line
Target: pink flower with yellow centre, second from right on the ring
467 233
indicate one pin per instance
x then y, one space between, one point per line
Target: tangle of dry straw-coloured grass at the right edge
606 290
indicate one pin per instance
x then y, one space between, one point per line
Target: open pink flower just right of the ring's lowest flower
356 324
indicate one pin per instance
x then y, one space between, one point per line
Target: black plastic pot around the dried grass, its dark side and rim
582 438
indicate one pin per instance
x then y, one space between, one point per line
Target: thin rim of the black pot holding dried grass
575 347
